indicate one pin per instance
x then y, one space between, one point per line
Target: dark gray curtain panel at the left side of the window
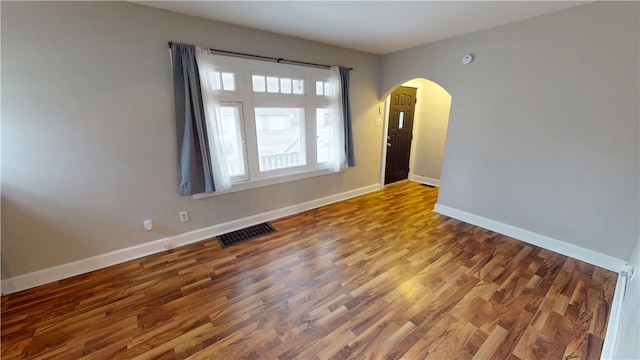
194 162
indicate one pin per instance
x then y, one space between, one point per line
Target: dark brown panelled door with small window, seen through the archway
401 110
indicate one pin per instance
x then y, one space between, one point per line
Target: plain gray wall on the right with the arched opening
543 132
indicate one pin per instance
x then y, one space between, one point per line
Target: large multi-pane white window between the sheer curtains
274 121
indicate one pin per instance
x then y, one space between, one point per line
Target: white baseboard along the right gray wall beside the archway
561 247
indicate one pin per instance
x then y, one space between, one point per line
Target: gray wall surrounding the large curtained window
88 134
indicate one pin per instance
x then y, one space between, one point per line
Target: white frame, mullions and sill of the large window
244 69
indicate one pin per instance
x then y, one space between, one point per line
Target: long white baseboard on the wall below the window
45 276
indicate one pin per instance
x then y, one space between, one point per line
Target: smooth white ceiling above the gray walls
377 27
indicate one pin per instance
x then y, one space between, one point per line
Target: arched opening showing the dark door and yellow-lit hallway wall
414 134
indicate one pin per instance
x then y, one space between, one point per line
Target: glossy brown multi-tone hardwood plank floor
380 276
